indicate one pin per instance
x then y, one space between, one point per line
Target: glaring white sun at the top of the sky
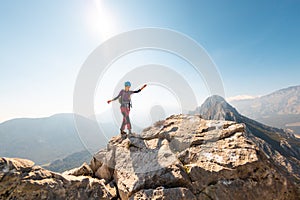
100 20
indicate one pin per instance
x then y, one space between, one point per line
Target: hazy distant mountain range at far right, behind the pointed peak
279 109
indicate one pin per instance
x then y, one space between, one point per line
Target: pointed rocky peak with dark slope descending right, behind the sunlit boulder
281 146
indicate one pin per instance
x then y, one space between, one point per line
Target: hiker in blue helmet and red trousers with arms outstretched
125 101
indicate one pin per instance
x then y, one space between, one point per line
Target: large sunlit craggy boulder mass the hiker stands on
187 157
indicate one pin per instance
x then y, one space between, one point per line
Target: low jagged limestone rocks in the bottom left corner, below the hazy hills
21 180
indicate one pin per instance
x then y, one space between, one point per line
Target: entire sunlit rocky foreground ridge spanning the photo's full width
181 157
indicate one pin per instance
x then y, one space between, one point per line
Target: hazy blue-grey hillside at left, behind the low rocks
44 140
